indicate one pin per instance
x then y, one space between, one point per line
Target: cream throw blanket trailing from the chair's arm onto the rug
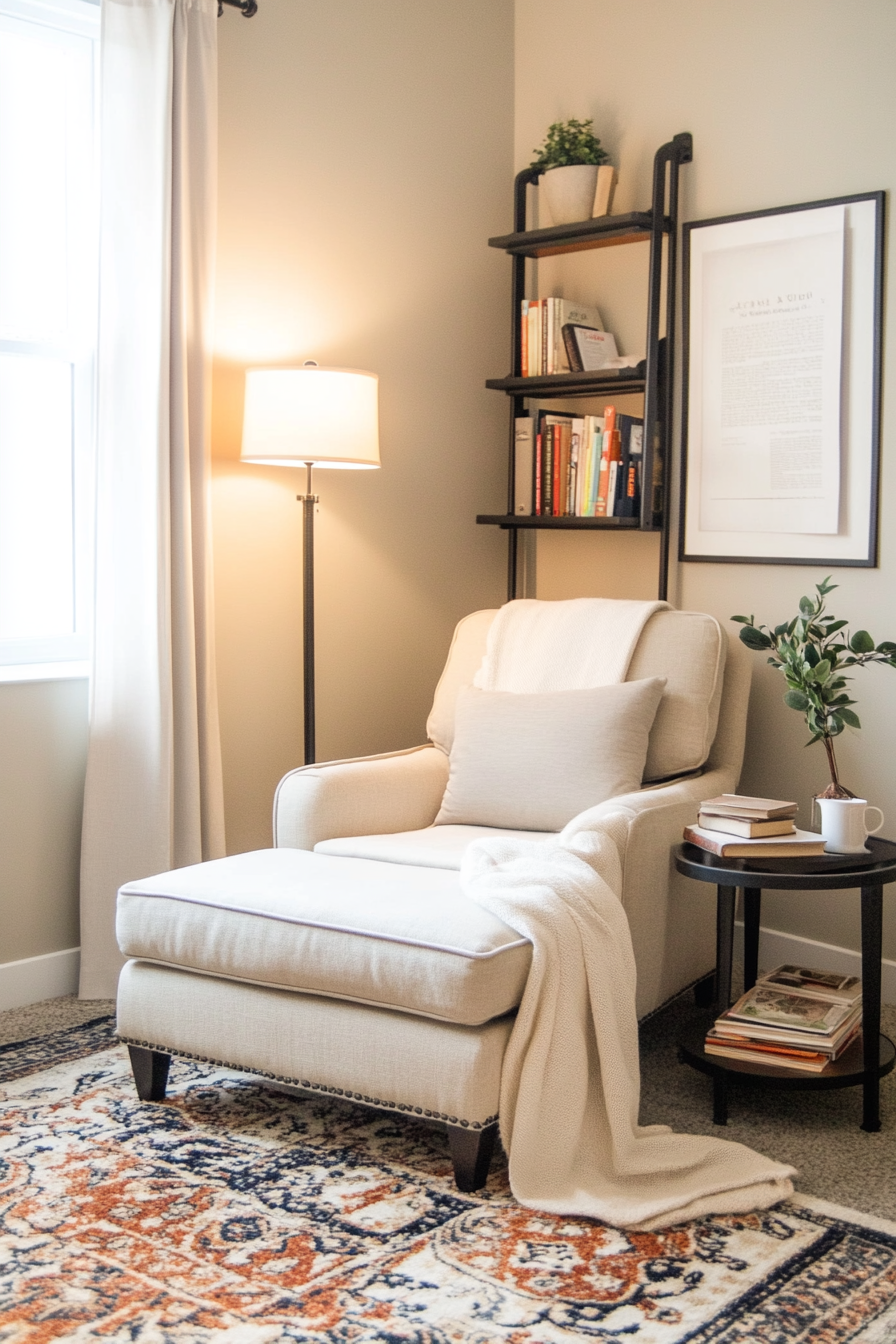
570 1085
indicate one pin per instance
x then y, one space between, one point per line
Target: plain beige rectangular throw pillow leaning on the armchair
533 763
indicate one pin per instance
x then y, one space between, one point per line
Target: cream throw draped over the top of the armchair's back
535 647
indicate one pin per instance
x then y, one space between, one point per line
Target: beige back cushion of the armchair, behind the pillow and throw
687 648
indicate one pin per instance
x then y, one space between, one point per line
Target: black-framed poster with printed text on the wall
781 409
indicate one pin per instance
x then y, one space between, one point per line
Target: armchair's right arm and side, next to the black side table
672 919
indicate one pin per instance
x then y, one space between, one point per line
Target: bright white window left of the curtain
49 233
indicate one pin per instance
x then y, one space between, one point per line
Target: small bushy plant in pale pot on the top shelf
572 161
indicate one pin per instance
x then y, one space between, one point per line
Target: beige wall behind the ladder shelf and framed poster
787 104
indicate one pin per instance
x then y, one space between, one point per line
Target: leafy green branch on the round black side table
812 653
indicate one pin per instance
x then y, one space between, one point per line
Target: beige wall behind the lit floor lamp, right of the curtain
366 157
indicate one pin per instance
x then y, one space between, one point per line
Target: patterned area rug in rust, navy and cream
238 1214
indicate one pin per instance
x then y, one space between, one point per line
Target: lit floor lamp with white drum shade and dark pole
311 417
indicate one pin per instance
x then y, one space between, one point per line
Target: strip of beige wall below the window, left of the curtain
44 730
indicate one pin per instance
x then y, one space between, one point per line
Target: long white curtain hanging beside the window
154 791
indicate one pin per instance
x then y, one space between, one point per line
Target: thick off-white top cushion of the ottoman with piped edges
394 936
